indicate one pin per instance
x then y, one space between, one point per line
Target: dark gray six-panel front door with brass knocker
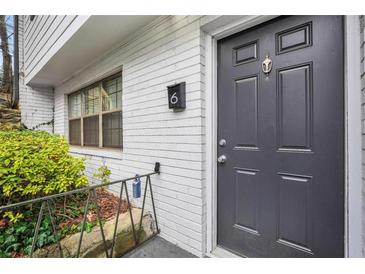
281 188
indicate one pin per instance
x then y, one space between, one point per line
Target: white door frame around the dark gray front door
222 26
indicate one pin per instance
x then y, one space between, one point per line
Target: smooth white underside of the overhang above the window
98 35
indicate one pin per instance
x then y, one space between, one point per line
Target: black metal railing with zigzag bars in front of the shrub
92 197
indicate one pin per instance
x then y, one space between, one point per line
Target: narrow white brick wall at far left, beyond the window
36 104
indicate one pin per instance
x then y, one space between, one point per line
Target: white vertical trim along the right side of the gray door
353 144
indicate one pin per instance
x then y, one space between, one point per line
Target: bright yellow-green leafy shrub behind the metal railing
36 163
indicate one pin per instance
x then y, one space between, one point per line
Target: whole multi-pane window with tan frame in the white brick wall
95 114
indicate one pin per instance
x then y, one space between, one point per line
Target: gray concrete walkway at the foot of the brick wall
158 248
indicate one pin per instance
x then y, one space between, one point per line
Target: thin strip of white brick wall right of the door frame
362 39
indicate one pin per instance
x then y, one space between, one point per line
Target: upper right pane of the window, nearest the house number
112 94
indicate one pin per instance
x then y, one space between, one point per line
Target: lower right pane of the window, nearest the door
112 129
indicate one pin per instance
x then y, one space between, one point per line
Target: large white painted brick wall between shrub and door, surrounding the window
167 51
